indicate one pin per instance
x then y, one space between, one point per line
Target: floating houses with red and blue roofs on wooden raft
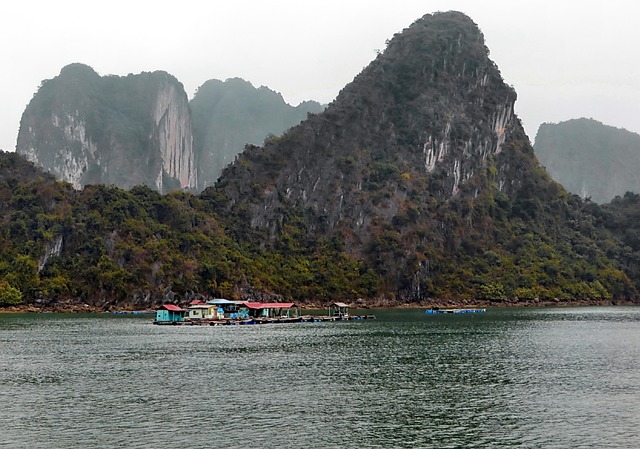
218 312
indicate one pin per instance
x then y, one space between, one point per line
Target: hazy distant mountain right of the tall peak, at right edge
589 158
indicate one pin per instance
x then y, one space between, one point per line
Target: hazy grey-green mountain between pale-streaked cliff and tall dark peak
227 115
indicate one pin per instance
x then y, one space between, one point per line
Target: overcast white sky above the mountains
565 58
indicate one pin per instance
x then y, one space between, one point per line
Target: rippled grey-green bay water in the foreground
526 378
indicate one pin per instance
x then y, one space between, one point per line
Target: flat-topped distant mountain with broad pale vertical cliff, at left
87 129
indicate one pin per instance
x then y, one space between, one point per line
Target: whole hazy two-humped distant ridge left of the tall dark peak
141 129
